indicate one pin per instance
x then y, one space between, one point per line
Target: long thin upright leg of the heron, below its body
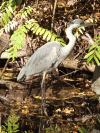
43 92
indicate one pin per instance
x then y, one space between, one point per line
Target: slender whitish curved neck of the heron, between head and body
72 39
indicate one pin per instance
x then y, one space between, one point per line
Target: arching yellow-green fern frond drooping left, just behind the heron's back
17 39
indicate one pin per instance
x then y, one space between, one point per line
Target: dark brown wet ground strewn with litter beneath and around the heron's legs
70 103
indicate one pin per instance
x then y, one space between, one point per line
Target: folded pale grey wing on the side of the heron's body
43 61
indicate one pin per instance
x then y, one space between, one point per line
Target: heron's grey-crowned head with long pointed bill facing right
78 23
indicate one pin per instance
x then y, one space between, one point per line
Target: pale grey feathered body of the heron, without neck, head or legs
46 58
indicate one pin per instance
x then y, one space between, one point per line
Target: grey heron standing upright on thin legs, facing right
47 58
